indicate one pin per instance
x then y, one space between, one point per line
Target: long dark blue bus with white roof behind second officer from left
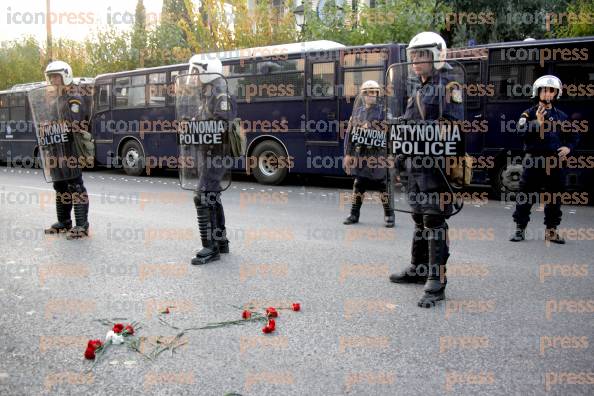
293 101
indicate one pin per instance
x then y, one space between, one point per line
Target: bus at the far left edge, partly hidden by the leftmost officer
18 142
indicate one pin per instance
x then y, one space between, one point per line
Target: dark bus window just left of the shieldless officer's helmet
513 82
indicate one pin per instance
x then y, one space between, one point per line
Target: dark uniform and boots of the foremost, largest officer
430 250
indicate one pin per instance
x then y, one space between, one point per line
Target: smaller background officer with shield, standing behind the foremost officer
362 154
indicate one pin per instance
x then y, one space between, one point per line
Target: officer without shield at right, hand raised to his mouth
542 141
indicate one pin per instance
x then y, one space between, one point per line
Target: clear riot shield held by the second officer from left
203 115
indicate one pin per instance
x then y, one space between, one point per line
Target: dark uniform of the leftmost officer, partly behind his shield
70 191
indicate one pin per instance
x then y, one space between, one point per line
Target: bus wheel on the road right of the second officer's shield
270 155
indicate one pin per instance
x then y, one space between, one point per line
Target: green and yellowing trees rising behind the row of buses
188 27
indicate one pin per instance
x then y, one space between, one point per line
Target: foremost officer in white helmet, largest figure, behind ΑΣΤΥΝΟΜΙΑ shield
435 96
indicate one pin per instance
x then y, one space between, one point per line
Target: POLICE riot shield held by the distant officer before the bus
365 140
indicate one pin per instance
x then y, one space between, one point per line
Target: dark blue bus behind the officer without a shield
499 86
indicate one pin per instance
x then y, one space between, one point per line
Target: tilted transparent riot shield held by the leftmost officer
54 132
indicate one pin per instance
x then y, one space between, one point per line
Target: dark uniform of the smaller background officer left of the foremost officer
366 176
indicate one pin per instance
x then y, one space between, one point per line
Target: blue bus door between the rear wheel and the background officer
322 127
